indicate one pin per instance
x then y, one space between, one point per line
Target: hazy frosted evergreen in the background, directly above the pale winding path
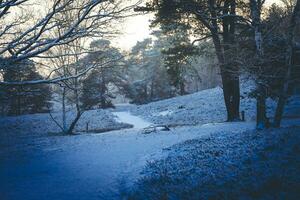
148 78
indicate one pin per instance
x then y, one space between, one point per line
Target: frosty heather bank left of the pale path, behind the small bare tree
41 125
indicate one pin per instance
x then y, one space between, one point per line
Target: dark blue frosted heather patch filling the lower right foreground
226 165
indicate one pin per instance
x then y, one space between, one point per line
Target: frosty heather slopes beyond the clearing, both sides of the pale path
198 108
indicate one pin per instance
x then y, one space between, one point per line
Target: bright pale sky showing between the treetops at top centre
137 29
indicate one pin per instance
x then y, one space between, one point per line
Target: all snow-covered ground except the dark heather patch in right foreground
105 166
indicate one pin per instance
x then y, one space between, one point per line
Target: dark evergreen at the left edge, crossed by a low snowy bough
24 99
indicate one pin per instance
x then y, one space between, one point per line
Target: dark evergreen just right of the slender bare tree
96 87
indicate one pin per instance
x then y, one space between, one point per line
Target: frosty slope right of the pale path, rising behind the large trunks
204 107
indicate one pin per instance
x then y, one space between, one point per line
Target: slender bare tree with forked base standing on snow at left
66 59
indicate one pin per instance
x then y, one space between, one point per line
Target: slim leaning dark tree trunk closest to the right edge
283 94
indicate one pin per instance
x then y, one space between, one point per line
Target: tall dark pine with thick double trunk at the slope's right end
208 19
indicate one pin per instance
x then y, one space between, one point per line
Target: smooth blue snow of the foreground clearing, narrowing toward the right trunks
92 166
